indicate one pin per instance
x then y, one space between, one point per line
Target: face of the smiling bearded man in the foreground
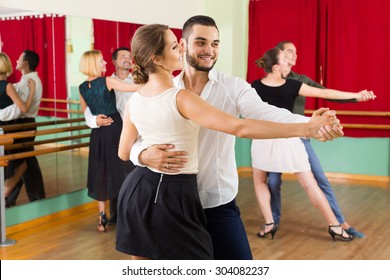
202 47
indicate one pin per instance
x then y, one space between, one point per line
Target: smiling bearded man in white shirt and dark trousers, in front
217 177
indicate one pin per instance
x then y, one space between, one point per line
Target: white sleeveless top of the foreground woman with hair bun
159 121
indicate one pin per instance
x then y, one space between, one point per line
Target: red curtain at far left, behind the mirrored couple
44 34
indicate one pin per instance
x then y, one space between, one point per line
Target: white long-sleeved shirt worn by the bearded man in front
218 177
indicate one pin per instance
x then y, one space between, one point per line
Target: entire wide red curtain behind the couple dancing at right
339 43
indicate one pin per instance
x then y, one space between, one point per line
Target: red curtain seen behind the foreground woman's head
110 35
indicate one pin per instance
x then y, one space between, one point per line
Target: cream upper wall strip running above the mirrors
171 12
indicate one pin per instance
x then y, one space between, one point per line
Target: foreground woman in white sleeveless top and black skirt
159 214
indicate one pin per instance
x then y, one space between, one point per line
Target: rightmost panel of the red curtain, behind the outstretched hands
355 43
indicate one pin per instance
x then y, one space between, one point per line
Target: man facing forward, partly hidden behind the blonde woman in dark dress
121 58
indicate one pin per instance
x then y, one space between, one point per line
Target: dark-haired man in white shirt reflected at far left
27 63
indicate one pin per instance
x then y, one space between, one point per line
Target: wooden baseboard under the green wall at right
381 181
